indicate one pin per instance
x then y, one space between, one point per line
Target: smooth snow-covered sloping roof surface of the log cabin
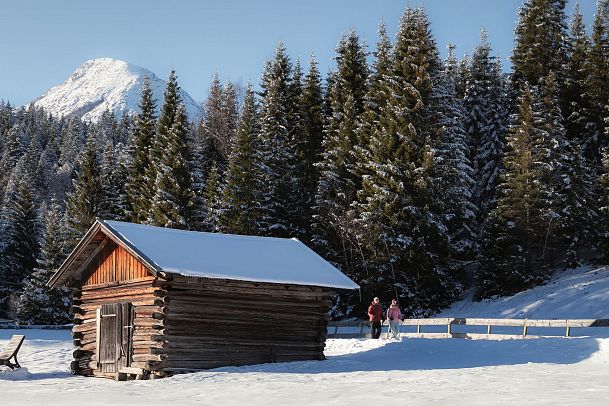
227 256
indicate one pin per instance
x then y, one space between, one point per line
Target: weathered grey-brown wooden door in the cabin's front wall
114 336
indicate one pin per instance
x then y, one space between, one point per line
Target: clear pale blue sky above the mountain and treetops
44 41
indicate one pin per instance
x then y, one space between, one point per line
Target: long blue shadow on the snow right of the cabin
430 354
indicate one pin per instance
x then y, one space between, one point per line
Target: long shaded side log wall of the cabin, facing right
210 323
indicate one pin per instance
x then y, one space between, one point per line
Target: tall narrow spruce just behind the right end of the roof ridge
278 208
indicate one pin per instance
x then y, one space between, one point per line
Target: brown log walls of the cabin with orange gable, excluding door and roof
186 324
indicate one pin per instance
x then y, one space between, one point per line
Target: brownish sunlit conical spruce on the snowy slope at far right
514 252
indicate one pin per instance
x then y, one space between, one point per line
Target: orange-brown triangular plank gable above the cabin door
113 263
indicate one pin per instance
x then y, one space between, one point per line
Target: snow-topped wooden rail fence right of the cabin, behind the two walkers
360 329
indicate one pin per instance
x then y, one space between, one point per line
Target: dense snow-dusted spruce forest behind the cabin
417 177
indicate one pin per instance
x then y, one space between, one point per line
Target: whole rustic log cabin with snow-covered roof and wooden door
151 302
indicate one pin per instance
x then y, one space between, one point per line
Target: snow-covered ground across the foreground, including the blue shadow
357 372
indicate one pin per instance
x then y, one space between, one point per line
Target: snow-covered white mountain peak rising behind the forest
106 84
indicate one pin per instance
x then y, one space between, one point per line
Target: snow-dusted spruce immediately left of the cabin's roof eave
39 304
